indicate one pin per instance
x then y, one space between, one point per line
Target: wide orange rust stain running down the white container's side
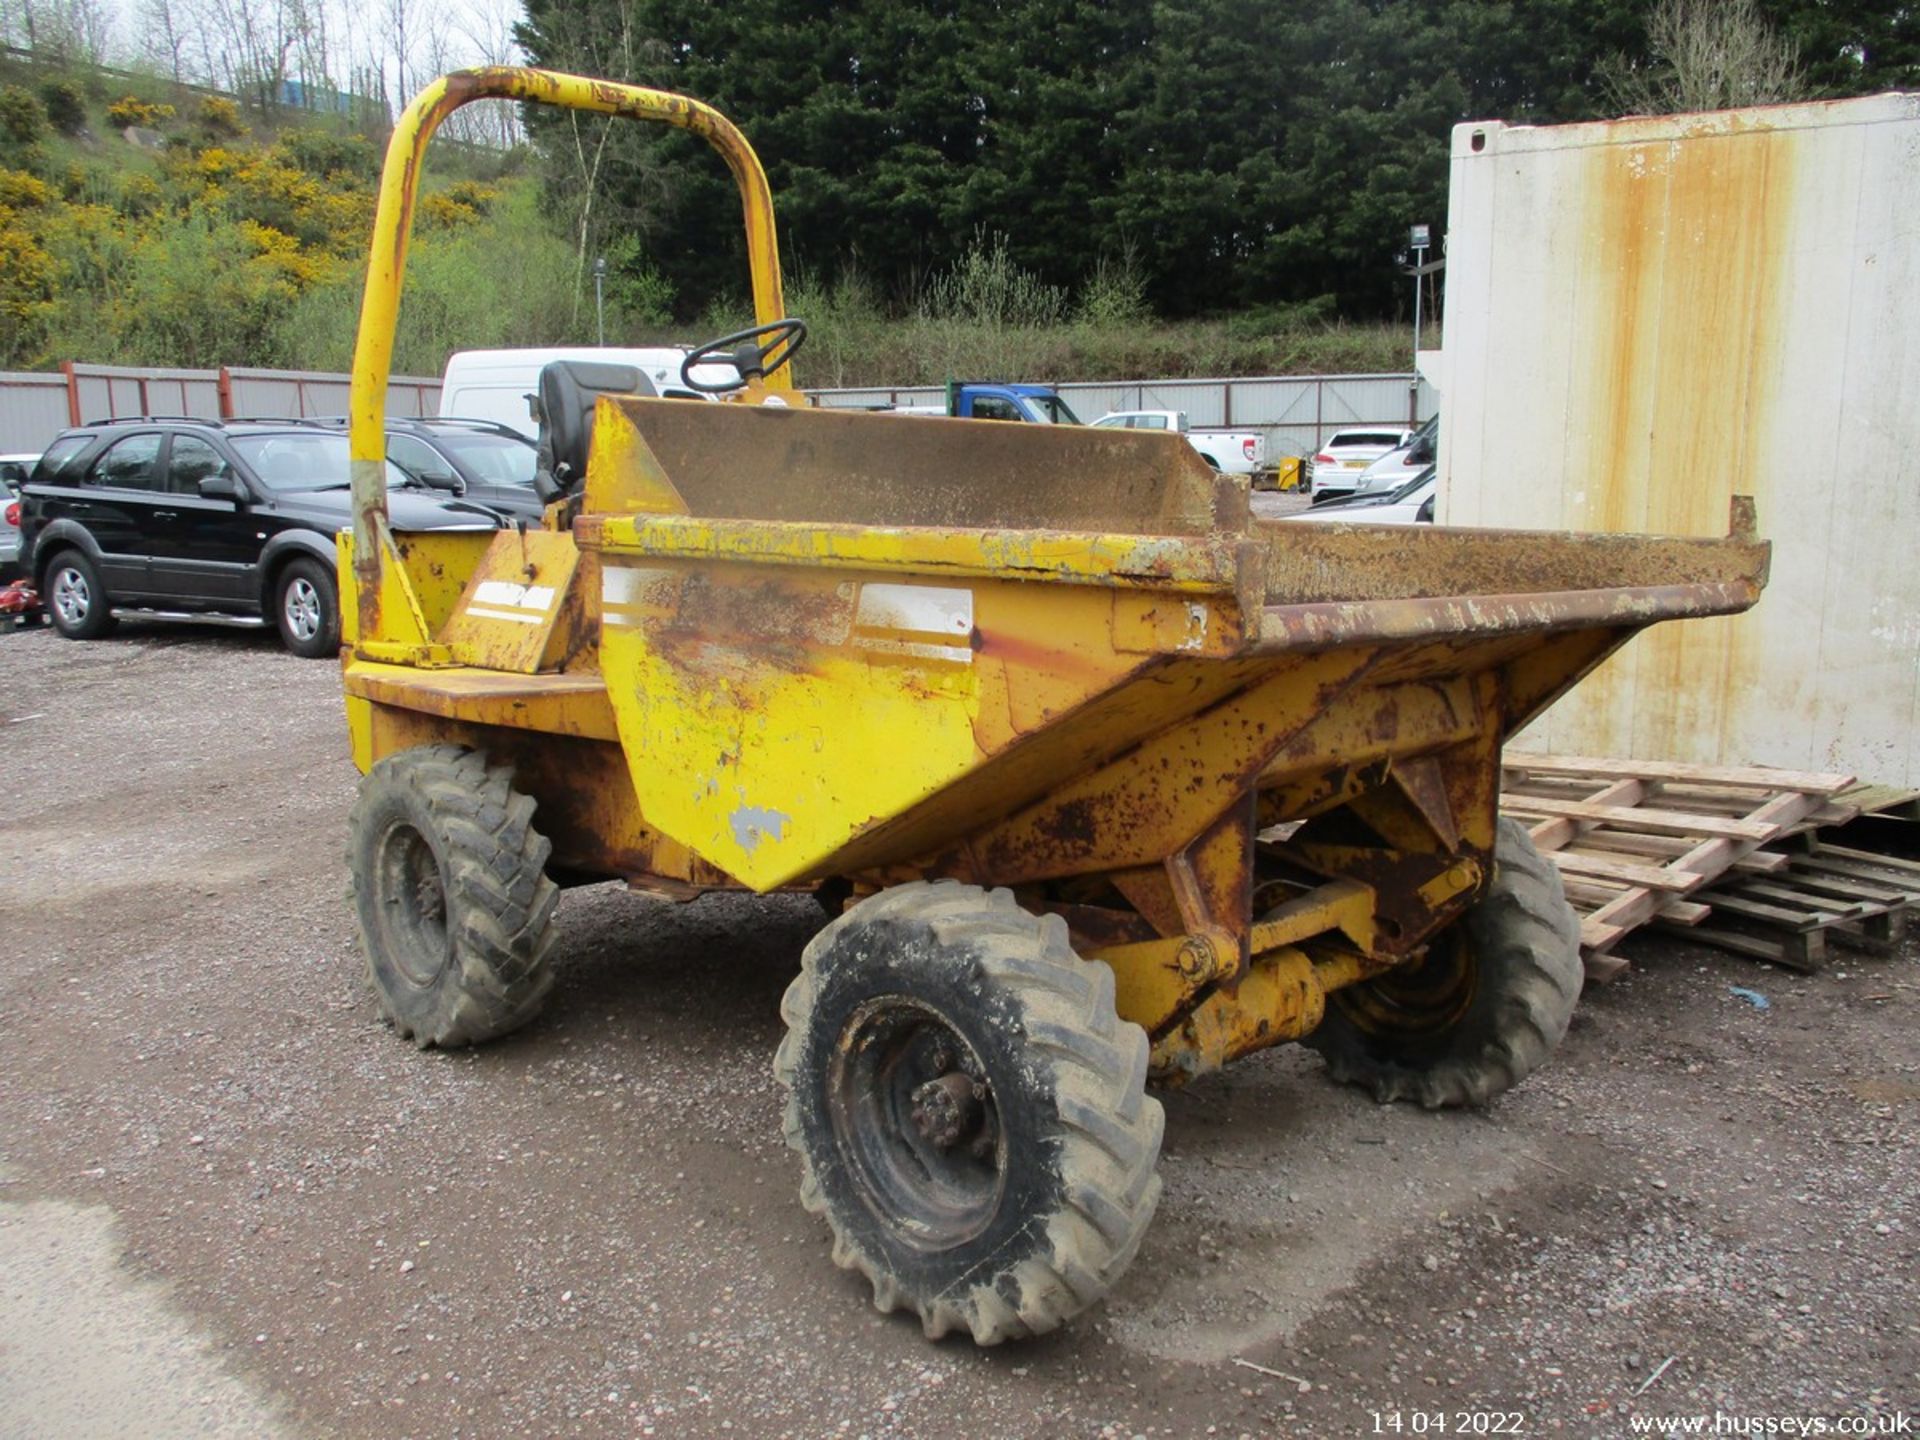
1683 320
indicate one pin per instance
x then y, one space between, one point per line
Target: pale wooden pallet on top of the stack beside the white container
1639 842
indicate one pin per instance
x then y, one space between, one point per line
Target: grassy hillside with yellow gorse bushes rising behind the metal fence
145 224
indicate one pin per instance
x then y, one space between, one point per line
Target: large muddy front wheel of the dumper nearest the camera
971 1113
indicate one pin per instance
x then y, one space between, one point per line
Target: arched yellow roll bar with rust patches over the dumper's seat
396 623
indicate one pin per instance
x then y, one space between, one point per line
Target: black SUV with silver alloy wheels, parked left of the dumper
203 517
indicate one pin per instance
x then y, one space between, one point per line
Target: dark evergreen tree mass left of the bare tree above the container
1241 153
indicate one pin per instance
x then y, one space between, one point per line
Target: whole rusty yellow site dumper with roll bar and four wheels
1101 777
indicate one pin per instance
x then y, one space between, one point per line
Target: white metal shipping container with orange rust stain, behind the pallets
1650 316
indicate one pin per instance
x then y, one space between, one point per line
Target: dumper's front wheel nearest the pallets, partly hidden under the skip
1487 1005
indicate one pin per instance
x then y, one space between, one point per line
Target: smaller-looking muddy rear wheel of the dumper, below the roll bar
452 896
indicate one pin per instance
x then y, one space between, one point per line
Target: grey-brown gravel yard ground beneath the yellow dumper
256 1211
